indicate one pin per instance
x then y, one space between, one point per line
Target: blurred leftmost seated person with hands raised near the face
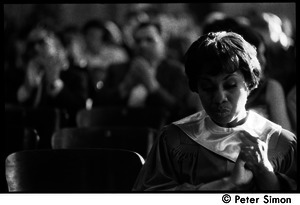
49 82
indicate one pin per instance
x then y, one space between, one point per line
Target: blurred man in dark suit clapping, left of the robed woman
149 79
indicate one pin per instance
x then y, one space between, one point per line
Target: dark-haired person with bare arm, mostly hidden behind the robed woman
268 99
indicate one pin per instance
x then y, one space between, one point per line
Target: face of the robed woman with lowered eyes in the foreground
224 97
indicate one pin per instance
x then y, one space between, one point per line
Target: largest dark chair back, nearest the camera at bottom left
72 170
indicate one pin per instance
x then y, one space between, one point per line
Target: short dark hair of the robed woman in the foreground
222 52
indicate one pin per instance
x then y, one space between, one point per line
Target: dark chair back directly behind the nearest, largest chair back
138 139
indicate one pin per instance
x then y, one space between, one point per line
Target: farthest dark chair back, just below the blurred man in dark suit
122 116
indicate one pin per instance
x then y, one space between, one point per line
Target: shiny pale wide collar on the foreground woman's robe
222 140
